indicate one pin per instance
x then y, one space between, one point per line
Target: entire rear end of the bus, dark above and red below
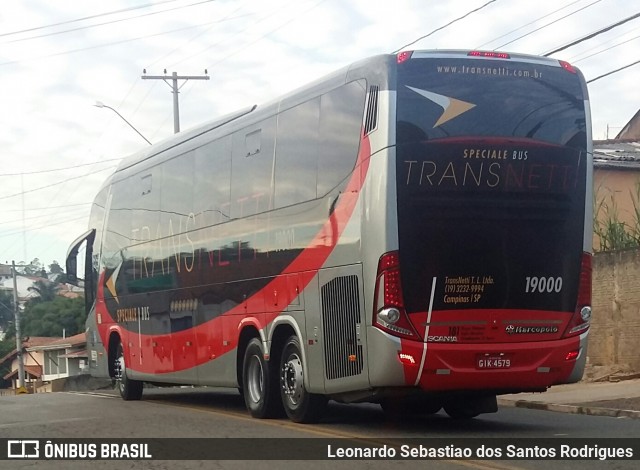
490 289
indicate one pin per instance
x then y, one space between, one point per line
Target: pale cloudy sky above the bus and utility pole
57 59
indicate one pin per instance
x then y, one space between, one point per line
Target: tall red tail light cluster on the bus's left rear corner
389 313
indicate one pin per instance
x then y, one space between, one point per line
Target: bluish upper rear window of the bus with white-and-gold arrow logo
443 98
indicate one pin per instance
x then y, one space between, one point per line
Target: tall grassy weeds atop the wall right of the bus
613 233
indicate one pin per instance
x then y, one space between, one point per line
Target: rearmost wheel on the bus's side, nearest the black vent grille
300 405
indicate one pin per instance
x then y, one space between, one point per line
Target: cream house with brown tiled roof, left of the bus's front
47 360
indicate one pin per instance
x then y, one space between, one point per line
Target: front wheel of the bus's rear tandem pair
259 385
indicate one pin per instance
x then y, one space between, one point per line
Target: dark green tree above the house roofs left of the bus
51 318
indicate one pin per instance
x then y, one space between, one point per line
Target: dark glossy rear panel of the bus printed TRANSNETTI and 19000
491 165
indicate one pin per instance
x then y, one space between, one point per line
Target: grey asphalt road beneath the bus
205 413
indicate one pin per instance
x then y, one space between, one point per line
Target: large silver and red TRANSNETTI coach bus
413 230
